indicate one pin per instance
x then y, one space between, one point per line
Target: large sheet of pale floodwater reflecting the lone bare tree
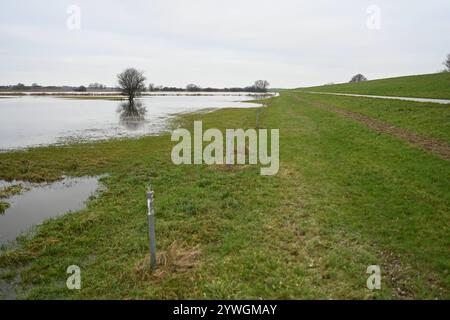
28 121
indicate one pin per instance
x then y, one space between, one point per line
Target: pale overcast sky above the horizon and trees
221 43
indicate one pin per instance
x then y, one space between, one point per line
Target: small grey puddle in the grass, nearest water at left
39 202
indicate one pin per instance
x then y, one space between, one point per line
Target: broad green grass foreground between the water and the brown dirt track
345 198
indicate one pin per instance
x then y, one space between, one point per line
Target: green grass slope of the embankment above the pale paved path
435 86
